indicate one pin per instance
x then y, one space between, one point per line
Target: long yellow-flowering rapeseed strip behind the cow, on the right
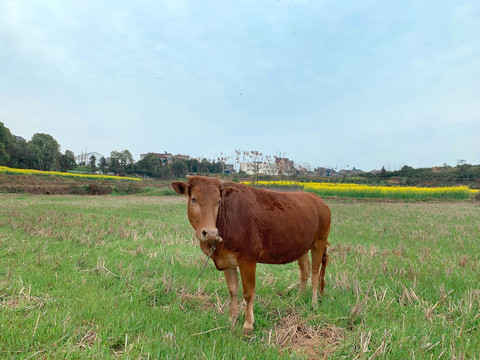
368 191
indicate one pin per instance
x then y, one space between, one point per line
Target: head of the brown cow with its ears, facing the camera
205 196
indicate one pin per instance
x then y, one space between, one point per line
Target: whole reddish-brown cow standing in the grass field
251 226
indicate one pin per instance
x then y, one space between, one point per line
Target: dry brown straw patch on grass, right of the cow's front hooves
312 341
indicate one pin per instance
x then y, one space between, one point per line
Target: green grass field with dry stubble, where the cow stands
102 277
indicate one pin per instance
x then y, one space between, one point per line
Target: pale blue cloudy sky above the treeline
362 83
